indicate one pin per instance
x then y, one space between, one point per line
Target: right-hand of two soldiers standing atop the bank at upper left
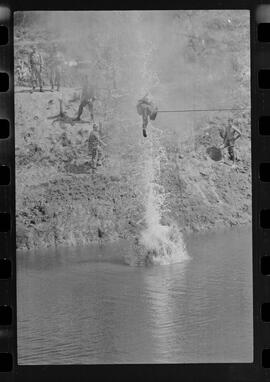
56 61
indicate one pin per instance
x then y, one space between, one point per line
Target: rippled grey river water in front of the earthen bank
84 305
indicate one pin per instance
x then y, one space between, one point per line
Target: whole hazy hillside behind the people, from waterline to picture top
59 200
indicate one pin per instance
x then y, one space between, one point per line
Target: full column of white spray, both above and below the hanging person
158 243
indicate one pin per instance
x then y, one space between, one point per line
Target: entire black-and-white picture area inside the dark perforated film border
133 187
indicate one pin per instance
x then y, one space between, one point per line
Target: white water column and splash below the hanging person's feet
164 243
